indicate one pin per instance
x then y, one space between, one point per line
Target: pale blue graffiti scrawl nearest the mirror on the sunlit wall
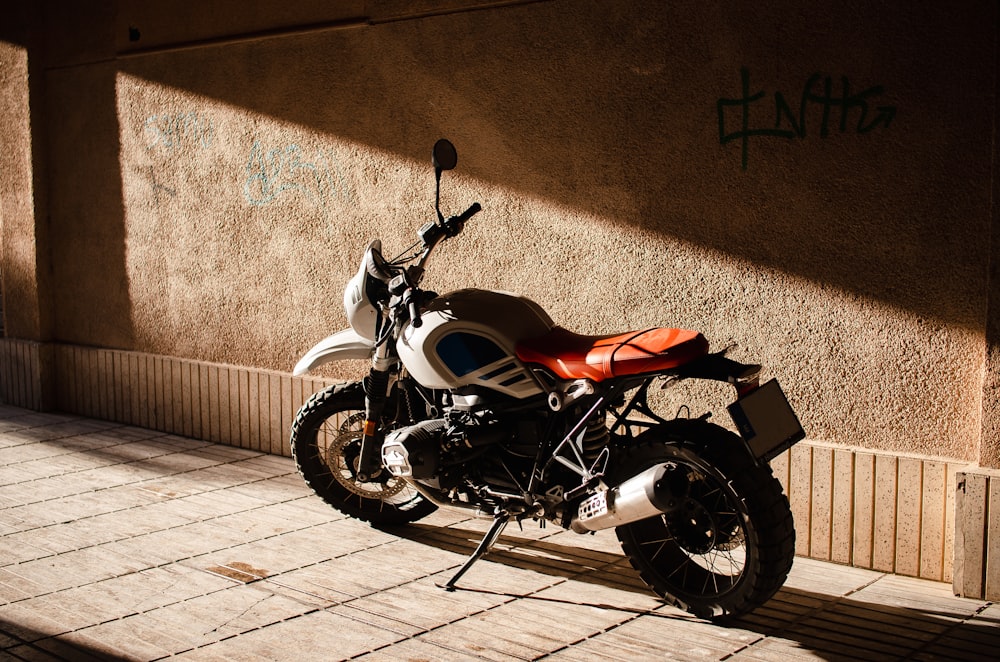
273 172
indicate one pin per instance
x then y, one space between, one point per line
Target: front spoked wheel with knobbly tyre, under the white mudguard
326 445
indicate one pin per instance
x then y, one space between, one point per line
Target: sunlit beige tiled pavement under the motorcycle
123 543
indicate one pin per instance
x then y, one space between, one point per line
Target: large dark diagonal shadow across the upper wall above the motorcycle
635 117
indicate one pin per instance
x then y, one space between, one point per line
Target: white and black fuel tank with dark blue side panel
468 338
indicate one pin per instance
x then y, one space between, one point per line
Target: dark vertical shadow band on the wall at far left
75 175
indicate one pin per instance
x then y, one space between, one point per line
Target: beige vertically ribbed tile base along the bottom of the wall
872 510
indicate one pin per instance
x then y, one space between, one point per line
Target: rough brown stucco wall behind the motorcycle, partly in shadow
194 181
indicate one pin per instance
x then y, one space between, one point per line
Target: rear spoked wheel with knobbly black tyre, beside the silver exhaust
728 544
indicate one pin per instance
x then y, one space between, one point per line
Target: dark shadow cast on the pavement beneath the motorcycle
829 626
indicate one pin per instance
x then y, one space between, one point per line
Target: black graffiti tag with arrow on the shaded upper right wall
843 111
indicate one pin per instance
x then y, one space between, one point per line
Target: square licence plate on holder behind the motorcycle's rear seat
766 421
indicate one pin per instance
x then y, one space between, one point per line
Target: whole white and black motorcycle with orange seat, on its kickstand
477 400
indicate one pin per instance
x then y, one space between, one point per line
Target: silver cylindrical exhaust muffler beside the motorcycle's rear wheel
657 490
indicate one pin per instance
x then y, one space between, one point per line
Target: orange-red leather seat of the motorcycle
572 356
